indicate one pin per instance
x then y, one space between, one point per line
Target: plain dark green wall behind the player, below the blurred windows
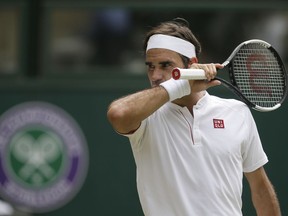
110 187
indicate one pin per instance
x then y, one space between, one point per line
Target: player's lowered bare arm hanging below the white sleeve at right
263 195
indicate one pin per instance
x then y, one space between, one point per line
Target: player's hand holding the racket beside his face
210 72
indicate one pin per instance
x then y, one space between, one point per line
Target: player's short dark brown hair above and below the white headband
177 27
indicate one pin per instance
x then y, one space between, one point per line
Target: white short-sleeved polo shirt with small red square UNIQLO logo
193 165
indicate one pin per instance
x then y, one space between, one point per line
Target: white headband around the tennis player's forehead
171 43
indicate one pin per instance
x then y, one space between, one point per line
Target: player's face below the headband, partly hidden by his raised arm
160 63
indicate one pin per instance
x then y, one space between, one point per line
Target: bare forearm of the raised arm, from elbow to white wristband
126 114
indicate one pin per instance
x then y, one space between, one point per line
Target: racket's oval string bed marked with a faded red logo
258 75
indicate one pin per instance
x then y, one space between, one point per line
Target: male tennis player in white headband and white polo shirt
191 148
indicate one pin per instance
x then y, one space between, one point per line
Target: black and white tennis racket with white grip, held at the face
257 75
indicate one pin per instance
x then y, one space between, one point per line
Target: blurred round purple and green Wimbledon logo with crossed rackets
43 157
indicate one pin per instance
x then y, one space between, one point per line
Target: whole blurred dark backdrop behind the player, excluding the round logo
81 55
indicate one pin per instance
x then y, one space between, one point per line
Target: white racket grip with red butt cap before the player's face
190 74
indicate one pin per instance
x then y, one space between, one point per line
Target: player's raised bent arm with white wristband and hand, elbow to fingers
126 114
